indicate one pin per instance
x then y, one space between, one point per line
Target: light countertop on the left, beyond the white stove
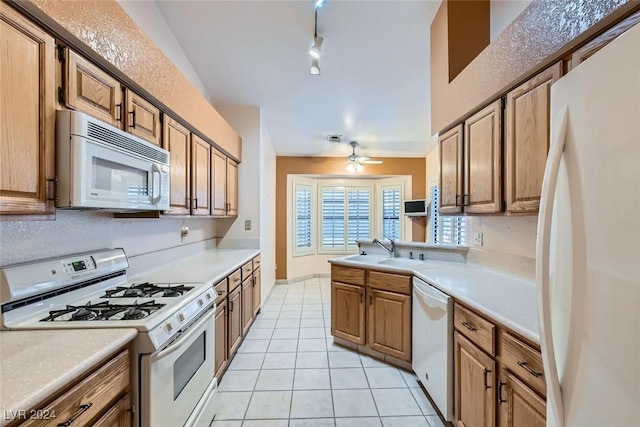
208 267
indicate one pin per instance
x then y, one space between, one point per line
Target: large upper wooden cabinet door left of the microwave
27 116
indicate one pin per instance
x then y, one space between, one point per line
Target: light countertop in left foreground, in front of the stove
37 364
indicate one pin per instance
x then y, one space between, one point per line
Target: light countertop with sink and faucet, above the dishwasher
506 299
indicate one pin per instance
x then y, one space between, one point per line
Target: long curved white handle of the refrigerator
552 167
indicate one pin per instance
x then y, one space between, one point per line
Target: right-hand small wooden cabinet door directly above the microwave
142 118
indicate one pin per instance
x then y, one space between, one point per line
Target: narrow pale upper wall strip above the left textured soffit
150 19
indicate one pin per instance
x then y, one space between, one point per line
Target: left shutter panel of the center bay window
333 224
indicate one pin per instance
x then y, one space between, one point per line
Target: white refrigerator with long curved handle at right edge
588 247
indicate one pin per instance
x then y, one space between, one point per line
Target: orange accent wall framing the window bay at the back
416 167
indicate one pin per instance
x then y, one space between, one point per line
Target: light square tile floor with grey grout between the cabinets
288 372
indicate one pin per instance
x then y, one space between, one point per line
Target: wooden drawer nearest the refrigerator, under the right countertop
524 361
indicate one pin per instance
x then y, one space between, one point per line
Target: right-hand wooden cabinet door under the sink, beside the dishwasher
389 323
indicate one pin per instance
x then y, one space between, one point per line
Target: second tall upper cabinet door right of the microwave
201 178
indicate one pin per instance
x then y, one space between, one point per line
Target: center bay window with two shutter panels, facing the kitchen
345 217
